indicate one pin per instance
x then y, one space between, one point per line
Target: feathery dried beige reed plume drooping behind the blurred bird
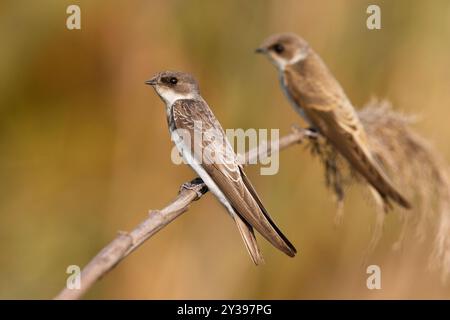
414 167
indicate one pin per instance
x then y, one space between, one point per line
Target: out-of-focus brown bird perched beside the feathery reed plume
318 97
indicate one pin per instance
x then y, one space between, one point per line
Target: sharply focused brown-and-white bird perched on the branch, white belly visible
207 150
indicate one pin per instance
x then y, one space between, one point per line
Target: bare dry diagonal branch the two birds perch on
126 242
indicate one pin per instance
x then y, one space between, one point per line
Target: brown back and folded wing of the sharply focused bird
219 161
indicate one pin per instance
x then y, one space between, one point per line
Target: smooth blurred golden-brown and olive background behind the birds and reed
85 150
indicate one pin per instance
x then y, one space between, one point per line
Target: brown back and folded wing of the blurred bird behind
317 92
